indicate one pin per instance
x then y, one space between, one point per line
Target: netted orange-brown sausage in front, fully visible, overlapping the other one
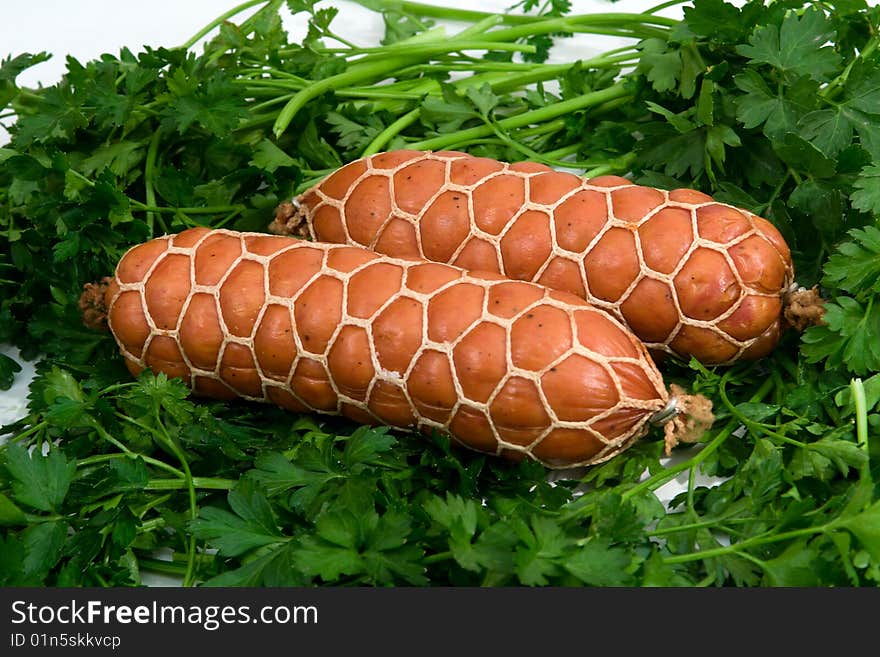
503 367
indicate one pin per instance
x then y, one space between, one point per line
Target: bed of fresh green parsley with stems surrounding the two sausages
773 107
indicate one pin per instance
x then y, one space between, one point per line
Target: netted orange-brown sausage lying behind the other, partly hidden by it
690 276
